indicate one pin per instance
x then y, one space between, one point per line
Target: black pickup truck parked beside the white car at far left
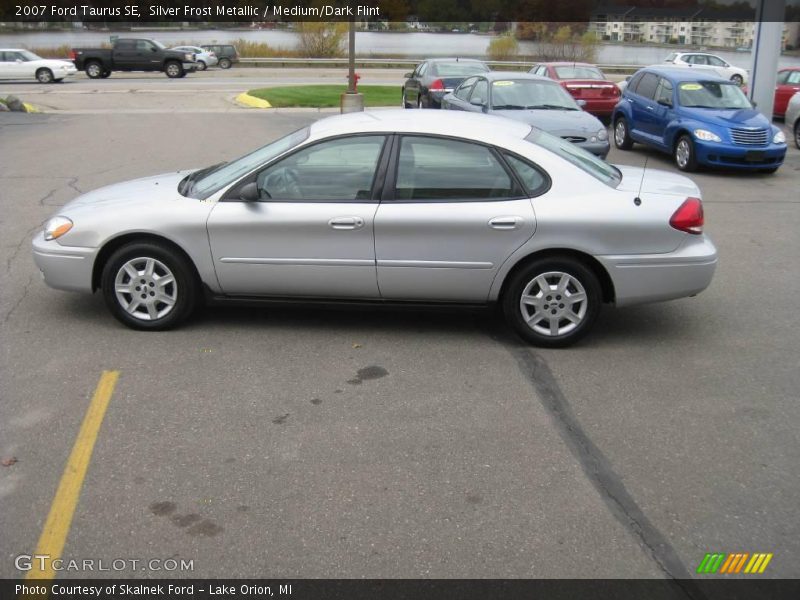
133 55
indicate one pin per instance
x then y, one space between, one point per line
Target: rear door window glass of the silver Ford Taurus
443 169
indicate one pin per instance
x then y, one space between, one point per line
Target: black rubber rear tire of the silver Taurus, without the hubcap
518 282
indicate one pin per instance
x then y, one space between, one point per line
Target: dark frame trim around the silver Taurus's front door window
232 194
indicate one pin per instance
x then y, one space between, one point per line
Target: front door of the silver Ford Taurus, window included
311 232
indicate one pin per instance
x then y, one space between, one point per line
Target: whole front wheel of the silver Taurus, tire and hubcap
183 292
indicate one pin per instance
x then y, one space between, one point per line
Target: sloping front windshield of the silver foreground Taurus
202 184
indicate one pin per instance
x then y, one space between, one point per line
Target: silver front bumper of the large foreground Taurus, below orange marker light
64 267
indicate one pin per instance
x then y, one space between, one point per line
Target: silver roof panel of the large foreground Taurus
438 122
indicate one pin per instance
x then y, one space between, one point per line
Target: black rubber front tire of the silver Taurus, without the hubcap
184 277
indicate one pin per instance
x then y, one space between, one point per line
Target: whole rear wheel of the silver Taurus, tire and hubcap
572 320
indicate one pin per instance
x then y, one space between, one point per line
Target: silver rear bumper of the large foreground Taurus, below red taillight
643 278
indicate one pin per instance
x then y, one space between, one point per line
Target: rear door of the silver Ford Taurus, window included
452 213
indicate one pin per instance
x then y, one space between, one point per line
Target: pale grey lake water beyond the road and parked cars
412 45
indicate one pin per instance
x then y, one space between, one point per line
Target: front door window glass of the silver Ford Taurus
341 170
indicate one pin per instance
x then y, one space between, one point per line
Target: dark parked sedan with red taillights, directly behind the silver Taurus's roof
433 79
